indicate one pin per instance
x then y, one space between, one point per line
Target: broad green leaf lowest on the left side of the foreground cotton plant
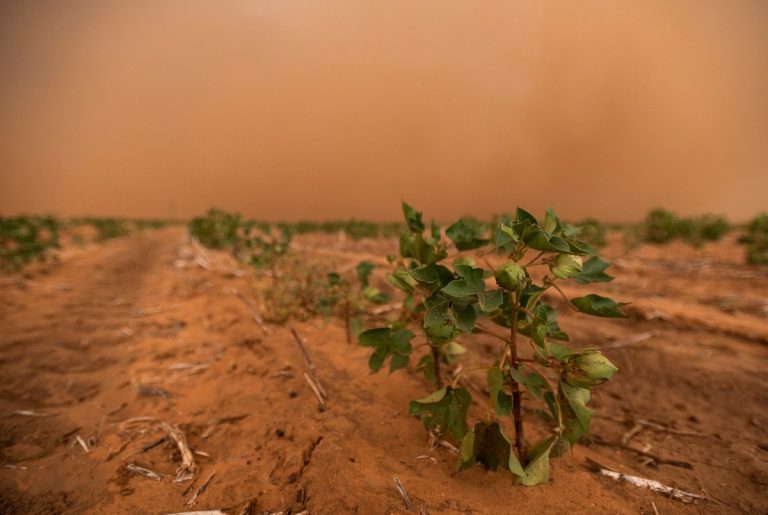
444 411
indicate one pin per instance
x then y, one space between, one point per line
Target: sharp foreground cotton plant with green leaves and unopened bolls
449 300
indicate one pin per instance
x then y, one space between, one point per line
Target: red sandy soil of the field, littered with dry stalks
134 328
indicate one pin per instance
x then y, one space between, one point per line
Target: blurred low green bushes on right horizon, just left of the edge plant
661 226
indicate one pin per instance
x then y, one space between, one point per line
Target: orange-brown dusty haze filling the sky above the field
338 109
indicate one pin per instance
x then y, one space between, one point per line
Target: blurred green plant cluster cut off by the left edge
24 239
